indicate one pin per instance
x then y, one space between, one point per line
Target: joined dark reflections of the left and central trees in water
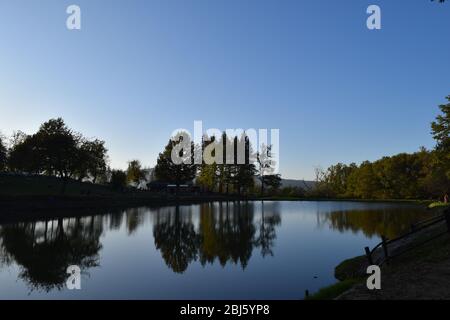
224 232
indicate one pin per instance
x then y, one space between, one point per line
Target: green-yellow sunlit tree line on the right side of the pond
421 175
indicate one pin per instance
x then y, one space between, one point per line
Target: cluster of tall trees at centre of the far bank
221 170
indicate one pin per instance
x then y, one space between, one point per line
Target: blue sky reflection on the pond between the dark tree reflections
131 266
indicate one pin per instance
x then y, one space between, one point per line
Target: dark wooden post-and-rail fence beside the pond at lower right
390 248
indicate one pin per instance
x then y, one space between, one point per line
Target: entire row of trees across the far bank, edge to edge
56 150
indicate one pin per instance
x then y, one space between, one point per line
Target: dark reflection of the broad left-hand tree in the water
44 250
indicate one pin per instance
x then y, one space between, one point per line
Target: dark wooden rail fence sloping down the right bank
374 256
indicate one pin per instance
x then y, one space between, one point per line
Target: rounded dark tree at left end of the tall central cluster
168 171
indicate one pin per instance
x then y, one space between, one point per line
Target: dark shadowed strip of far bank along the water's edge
18 207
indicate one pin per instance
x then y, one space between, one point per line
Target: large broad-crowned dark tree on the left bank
56 150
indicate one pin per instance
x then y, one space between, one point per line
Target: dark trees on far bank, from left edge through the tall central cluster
56 150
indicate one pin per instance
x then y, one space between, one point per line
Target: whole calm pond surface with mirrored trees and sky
245 250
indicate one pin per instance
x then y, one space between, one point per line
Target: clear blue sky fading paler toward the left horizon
139 69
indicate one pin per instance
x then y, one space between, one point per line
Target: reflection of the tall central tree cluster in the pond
226 232
